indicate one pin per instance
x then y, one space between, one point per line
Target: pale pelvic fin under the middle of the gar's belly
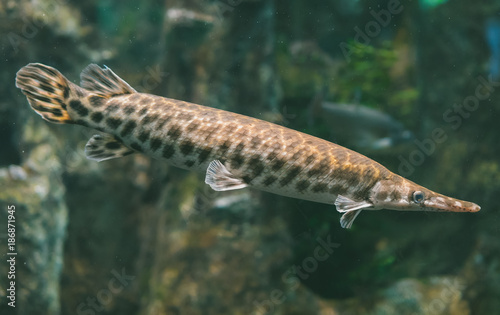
221 179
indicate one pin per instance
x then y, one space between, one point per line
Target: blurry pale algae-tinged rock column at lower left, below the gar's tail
36 191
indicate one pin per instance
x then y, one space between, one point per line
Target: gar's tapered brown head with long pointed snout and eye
403 194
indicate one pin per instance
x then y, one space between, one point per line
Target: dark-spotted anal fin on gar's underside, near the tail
104 147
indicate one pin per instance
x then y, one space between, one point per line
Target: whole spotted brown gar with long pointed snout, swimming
234 150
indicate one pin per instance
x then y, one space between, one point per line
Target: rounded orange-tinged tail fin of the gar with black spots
48 91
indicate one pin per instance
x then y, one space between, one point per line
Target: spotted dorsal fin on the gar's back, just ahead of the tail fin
103 82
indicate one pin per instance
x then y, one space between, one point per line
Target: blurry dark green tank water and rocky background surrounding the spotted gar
413 85
